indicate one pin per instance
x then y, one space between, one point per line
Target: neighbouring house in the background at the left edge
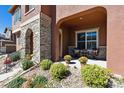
7 43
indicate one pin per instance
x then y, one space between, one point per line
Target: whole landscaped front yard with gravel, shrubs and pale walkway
64 74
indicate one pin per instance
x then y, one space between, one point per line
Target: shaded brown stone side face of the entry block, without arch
45 36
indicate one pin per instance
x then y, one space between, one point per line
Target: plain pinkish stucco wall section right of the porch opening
115 37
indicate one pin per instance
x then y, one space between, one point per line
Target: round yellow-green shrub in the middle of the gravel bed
58 71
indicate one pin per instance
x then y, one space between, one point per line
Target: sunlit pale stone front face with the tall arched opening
35 27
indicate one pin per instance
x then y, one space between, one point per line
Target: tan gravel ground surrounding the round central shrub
72 81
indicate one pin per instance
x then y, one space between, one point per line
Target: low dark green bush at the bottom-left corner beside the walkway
16 83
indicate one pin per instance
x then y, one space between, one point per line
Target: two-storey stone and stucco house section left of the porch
32 25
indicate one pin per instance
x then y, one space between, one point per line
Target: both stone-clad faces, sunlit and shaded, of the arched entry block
41 29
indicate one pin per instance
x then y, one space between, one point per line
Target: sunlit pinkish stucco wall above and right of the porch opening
115 33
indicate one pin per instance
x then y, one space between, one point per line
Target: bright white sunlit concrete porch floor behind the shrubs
76 63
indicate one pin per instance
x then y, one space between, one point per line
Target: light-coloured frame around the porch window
85 31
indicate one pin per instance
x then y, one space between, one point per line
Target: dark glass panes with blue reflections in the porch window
87 40
